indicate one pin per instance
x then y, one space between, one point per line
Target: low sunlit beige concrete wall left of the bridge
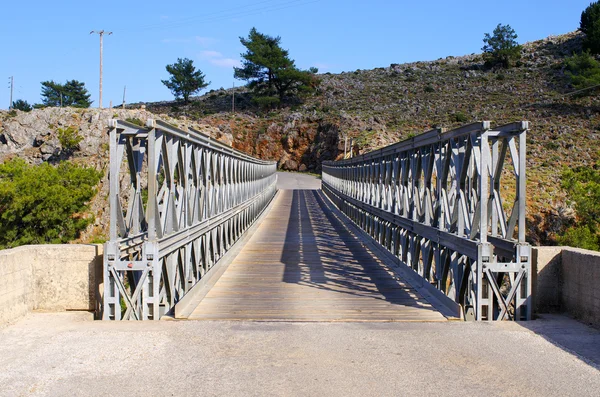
49 277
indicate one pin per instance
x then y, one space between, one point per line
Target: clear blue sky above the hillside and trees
45 40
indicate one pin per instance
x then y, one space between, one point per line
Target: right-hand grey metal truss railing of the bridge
451 206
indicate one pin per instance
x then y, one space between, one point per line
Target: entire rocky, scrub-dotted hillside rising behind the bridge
375 107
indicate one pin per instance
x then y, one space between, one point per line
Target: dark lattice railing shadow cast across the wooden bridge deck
320 251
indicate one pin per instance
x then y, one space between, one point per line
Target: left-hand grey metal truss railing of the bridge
178 201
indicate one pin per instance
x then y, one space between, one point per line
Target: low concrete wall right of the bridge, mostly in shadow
568 280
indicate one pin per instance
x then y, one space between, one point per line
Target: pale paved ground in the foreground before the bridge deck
65 354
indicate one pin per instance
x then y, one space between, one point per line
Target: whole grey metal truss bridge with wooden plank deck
427 229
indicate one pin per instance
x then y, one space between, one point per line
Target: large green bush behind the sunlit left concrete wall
44 204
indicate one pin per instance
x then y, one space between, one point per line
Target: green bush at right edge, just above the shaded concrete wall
582 185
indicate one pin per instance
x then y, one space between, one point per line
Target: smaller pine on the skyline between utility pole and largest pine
185 79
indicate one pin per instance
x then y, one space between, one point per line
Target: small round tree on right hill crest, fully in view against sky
501 48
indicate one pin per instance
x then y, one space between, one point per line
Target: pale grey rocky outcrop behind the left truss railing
34 136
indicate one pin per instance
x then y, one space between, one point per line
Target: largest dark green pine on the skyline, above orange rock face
270 72
